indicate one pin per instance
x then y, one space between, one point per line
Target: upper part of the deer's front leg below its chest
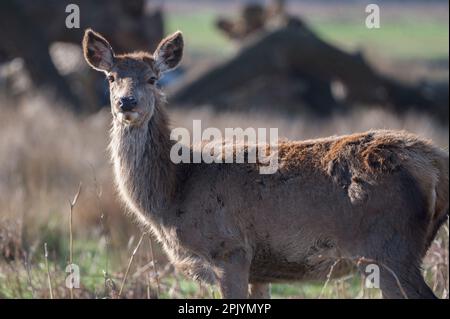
233 274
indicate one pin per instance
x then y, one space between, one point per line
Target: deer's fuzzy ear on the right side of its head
169 52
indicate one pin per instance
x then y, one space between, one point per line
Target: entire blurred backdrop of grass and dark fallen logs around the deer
309 68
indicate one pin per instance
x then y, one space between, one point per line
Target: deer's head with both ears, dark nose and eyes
132 77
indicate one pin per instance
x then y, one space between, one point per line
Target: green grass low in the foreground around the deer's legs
90 256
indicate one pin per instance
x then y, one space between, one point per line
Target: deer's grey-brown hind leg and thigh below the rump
393 233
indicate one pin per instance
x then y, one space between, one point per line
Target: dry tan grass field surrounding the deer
45 153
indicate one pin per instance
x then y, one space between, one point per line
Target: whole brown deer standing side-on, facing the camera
379 196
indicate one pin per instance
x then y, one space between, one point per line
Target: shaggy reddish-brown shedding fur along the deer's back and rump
355 162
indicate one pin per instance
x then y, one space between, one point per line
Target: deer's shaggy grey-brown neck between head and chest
144 173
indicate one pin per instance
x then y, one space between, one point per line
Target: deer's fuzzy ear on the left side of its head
97 51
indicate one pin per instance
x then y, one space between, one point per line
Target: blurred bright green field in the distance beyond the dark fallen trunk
402 38
